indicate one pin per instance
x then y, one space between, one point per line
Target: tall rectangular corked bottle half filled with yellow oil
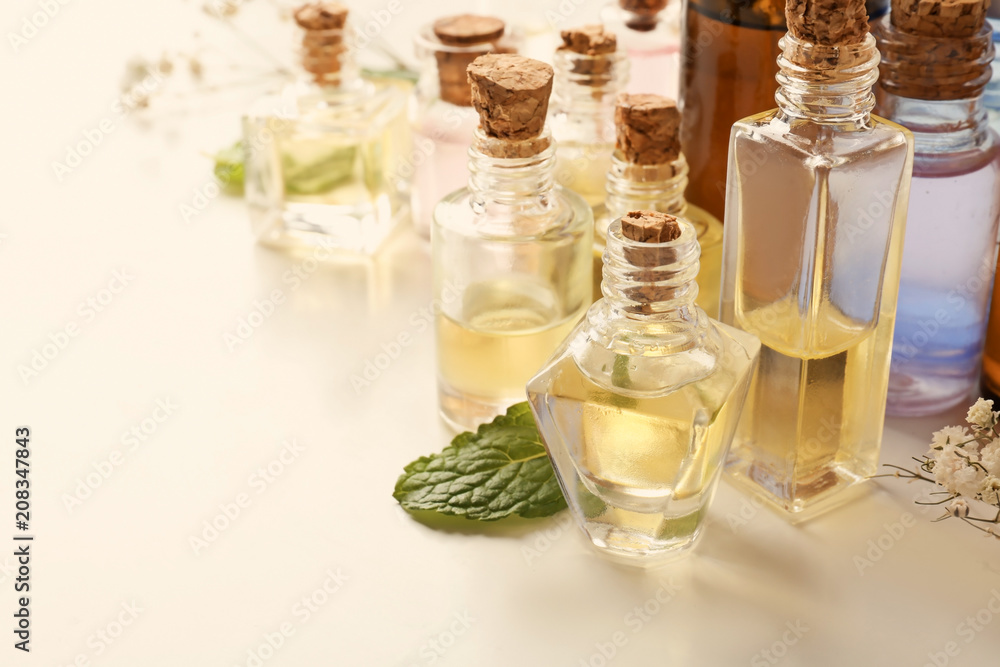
811 258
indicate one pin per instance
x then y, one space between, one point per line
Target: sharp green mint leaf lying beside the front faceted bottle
499 471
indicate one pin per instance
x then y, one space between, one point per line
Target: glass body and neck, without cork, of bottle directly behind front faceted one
660 187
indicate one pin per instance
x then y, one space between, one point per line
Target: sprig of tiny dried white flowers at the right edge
965 463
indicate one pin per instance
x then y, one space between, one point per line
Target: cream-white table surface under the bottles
408 594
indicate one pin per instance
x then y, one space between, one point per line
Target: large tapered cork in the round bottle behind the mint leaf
511 94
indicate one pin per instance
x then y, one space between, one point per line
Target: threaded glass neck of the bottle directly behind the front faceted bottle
657 187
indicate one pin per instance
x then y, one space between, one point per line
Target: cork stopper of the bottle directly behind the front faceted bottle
647 128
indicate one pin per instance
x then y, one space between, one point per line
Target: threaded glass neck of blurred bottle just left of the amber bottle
585 87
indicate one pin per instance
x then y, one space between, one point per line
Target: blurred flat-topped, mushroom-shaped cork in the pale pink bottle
463 33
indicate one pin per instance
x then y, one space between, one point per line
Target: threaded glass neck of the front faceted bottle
652 282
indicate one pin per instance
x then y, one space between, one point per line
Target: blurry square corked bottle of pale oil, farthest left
323 156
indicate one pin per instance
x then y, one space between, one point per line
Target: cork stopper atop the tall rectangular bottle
827 22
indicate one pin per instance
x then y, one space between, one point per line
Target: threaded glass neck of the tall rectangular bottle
827 84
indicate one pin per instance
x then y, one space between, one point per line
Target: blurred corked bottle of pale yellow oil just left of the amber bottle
590 71
